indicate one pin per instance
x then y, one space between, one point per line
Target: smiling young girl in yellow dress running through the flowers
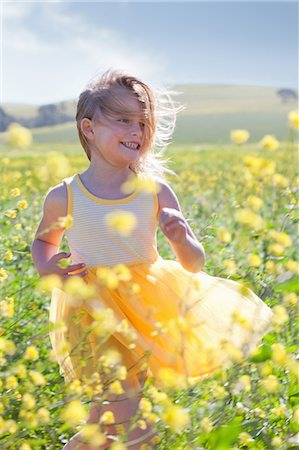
116 205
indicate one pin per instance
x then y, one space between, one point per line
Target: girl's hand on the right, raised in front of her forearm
173 225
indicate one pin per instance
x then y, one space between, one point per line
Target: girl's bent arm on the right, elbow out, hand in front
173 224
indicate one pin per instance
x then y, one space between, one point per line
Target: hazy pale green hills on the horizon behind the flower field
211 111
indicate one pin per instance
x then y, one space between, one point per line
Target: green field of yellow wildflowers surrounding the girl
240 201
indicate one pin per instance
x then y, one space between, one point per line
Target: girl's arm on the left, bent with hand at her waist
48 235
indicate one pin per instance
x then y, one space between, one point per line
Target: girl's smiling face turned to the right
119 133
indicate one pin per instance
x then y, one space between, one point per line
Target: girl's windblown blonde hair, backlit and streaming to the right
159 114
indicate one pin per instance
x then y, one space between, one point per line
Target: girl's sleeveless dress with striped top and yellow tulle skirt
163 317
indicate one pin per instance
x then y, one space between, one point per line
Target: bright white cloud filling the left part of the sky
66 56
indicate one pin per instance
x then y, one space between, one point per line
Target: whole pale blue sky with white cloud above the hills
50 50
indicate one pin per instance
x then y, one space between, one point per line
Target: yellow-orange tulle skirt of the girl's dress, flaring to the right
190 323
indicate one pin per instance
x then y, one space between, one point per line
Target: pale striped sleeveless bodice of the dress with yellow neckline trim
93 242
